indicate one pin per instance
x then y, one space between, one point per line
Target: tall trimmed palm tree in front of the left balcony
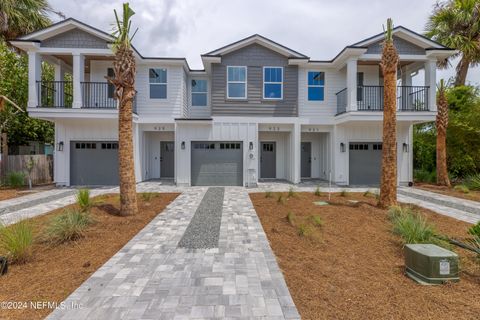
124 82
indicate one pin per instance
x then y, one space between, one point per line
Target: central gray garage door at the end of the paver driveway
217 163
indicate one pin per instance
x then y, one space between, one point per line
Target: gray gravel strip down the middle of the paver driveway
204 229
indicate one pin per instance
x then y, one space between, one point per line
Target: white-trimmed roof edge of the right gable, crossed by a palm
406 34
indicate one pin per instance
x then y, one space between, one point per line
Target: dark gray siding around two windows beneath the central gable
255 57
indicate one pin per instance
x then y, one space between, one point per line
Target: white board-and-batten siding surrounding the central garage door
244 132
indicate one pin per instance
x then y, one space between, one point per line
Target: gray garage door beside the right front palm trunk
365 163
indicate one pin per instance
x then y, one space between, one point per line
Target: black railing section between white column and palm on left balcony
98 95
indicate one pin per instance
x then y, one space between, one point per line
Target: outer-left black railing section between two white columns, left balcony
55 94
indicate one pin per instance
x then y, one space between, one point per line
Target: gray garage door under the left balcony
94 163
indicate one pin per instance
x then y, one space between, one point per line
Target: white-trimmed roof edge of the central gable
258 39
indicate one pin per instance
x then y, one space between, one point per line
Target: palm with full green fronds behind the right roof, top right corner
456 24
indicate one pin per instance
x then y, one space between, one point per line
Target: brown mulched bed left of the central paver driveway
56 271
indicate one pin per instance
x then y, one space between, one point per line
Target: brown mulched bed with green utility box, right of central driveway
355 269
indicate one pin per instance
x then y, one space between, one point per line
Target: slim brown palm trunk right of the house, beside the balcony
442 124
